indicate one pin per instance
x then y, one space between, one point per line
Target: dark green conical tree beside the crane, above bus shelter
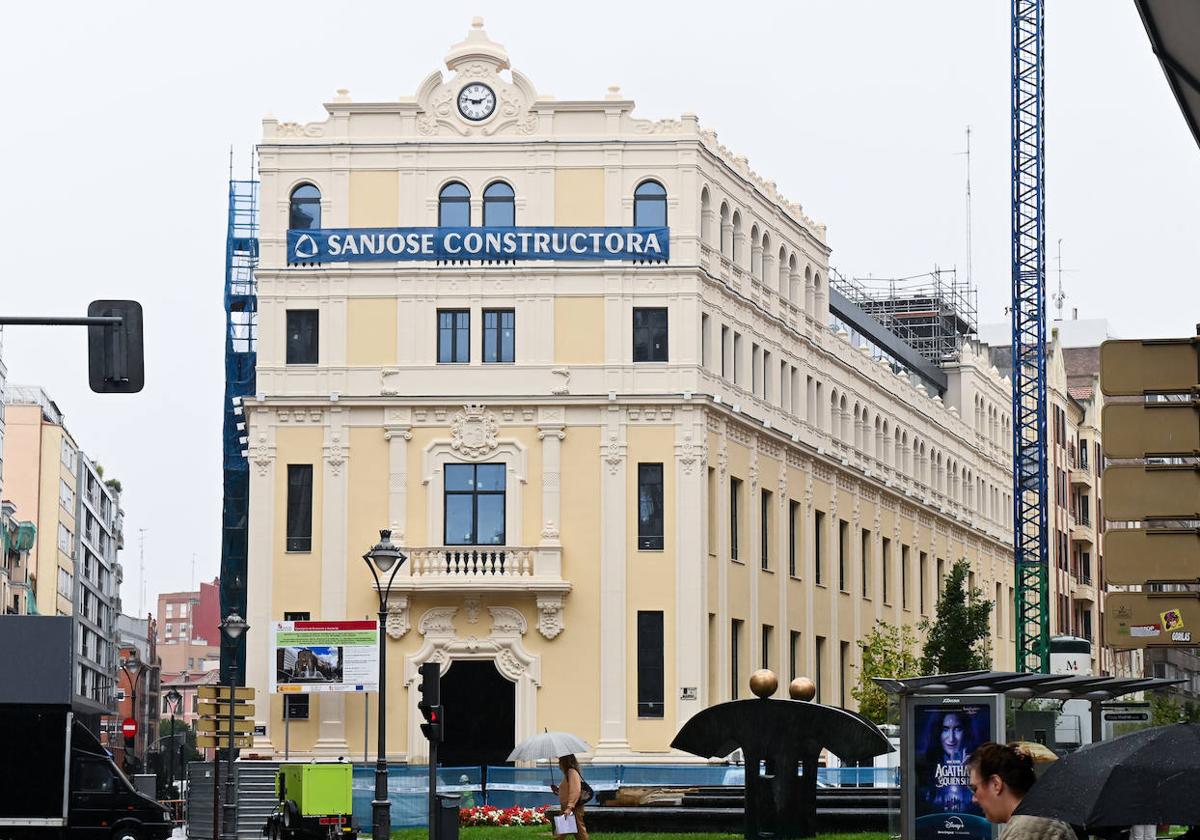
961 637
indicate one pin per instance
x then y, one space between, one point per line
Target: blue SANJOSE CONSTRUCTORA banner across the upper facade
356 245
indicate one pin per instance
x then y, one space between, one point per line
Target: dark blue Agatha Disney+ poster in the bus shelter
945 737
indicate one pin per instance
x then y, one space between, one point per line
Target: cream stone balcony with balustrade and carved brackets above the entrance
470 571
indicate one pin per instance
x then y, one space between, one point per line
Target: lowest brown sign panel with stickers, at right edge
1153 620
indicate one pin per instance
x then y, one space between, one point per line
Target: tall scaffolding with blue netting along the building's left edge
242 341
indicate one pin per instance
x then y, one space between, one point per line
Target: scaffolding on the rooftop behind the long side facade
934 314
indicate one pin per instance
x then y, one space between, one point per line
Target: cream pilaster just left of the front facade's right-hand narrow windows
614 653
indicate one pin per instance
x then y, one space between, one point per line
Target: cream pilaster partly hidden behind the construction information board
335 511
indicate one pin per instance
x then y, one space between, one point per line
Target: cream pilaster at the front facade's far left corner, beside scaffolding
261 544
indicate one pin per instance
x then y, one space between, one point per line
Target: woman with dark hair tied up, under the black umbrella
1001 776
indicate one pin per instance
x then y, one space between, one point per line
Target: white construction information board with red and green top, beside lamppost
313 657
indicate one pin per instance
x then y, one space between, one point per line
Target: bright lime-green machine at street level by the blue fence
315 803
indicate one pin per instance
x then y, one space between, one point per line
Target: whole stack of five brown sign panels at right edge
1151 435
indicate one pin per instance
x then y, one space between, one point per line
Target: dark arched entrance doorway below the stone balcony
479 706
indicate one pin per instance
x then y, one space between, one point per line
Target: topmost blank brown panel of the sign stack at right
1131 369
